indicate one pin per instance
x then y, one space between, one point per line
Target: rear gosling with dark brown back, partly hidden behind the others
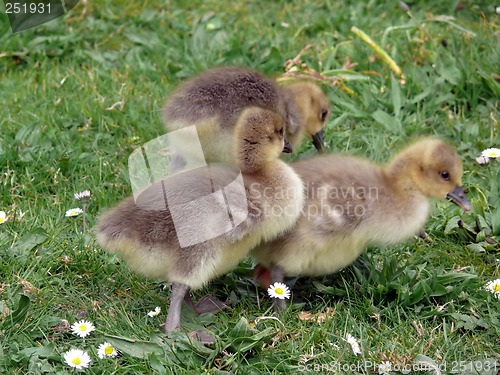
213 100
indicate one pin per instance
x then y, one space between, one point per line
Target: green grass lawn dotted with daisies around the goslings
80 93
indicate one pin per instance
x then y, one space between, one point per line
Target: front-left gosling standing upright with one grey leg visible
146 234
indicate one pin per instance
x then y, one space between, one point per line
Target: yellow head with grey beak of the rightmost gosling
435 170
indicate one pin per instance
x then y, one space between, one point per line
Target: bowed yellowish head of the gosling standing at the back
314 109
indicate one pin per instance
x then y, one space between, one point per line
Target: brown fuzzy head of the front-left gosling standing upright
259 138
